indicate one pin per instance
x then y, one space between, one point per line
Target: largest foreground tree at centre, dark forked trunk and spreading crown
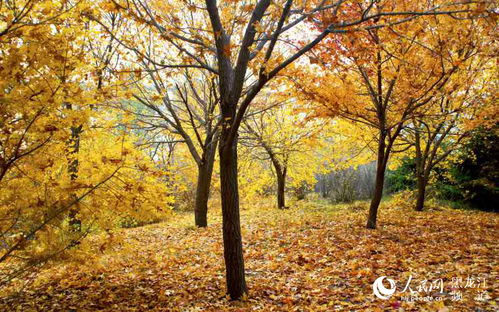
248 44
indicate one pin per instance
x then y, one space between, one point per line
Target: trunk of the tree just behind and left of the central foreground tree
205 171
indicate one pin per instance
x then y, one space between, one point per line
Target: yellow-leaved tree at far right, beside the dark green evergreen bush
441 129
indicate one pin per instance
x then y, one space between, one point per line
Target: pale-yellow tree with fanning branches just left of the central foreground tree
182 101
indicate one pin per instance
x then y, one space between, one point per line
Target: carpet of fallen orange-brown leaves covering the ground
312 257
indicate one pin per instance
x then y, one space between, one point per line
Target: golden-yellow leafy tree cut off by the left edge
38 67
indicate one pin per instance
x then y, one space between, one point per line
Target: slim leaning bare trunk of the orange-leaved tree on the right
379 182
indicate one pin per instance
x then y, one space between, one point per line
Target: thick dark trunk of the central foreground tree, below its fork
233 249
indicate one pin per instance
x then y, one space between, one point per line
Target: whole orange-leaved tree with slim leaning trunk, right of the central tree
394 72
